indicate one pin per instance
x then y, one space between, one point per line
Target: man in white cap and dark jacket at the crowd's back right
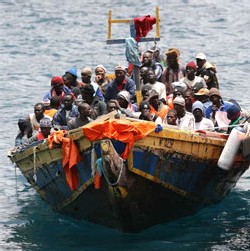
206 71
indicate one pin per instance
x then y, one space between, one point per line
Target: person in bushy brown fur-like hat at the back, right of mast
173 71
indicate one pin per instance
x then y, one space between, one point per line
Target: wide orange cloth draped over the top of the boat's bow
122 130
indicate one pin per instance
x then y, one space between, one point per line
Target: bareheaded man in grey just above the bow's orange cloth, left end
85 114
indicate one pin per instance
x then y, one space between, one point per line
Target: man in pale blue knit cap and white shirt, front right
201 123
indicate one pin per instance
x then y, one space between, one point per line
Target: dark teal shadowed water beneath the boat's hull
224 226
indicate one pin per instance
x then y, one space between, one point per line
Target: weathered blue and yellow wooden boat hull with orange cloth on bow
162 176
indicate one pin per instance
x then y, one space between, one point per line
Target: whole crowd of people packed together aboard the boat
186 97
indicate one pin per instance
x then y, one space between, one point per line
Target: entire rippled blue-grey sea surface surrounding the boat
40 39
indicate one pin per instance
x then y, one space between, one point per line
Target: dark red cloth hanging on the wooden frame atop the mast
143 25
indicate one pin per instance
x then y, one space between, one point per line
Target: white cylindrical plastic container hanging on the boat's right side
231 148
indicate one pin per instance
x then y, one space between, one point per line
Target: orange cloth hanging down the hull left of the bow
71 156
